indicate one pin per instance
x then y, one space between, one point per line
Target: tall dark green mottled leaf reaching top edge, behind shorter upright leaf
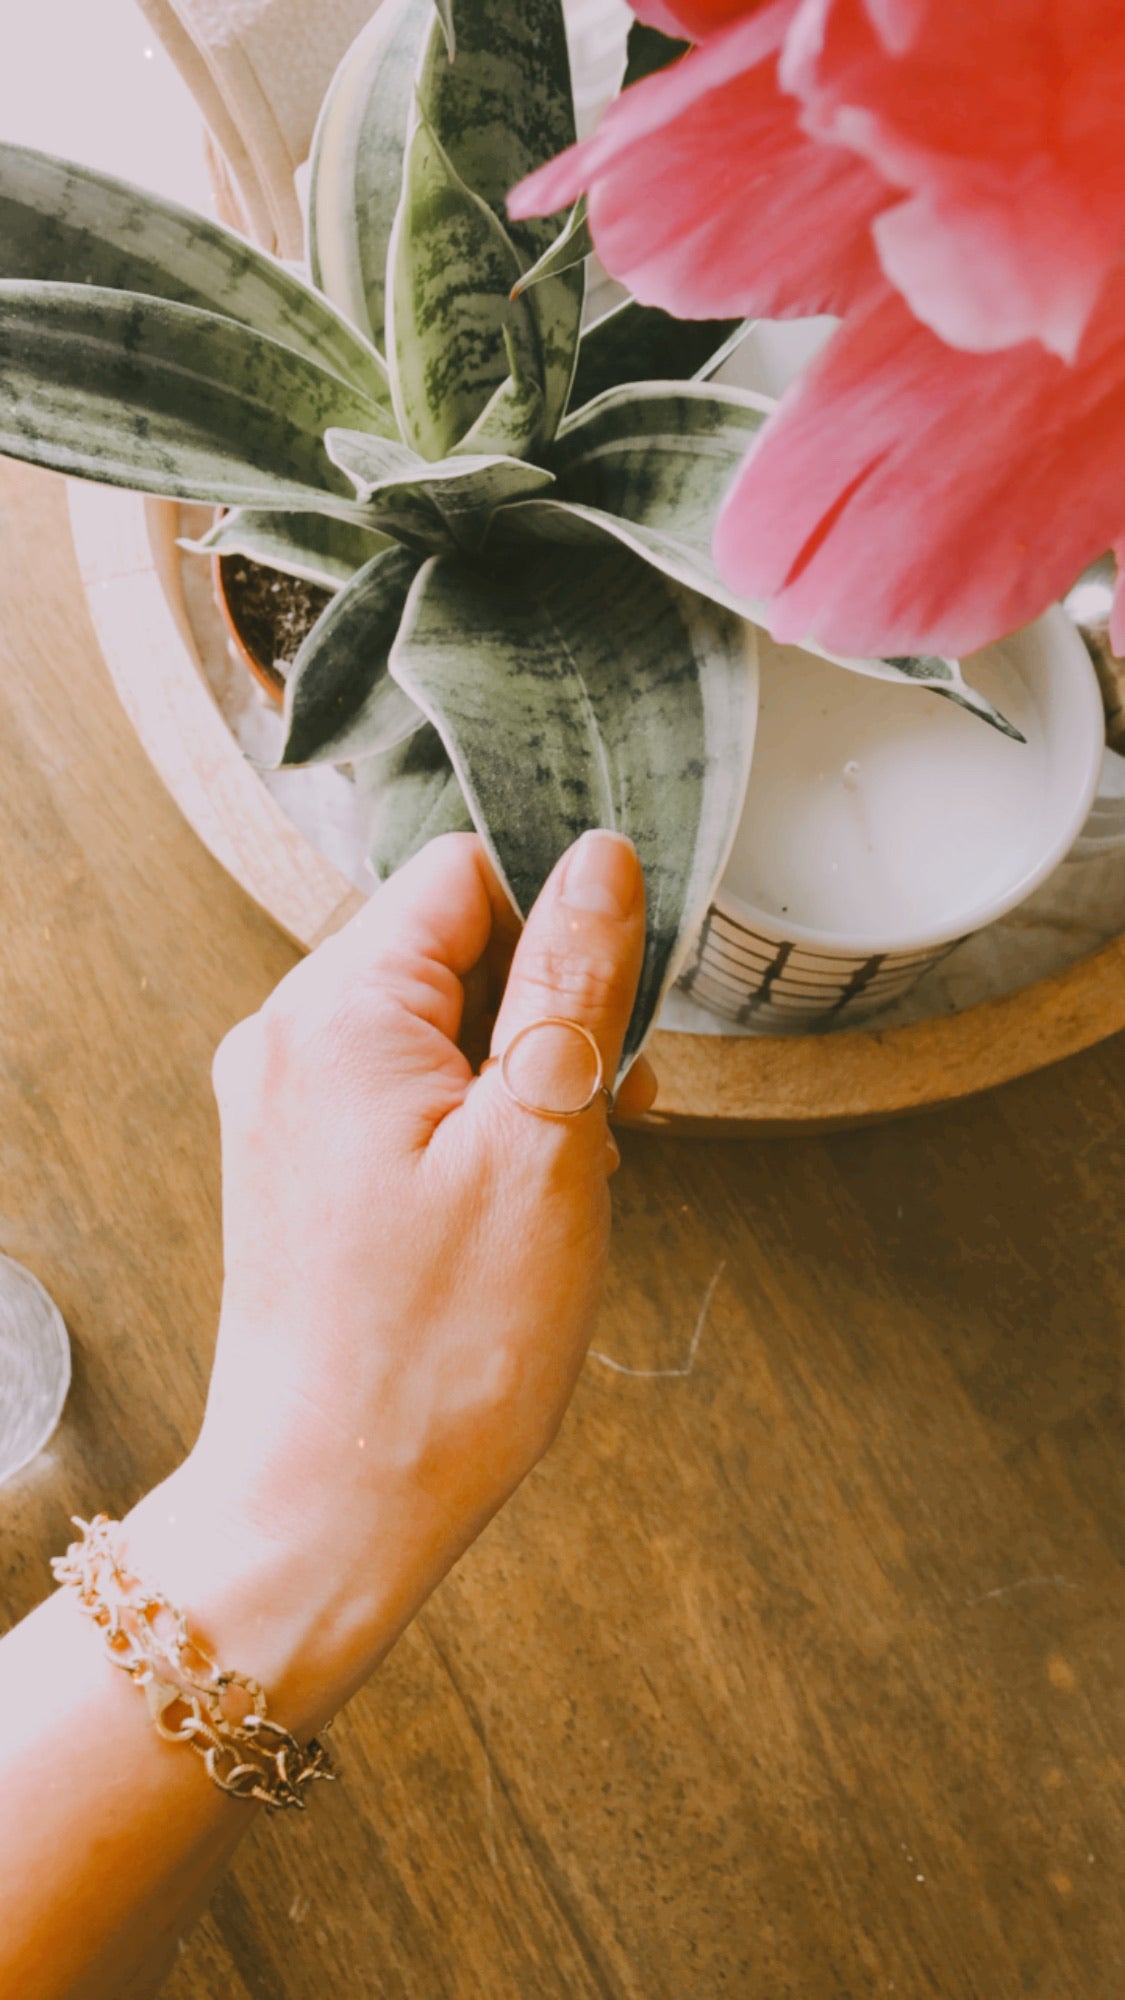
501 109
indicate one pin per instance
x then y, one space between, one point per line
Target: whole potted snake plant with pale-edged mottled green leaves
515 515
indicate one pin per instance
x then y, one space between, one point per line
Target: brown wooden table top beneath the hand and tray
798 1667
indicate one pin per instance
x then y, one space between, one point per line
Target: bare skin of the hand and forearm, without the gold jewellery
413 1271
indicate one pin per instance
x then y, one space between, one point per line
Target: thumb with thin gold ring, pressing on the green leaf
580 961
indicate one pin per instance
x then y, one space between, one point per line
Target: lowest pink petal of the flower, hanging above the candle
916 499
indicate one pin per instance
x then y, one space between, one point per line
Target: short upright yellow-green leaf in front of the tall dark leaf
449 279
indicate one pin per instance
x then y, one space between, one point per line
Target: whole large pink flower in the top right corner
950 179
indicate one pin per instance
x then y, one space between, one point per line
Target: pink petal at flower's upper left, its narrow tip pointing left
710 201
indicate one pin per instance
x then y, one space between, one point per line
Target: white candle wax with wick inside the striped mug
884 813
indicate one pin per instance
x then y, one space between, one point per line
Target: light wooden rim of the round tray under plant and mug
720 1085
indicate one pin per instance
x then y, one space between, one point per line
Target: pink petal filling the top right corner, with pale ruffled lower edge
1004 123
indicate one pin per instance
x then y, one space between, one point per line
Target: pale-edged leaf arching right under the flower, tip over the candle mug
650 467
